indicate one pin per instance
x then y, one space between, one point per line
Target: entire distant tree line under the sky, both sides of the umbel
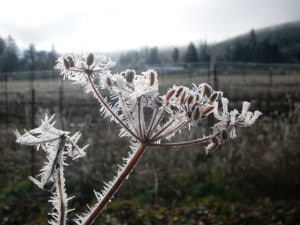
278 46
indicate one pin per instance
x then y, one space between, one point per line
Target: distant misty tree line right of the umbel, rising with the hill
279 46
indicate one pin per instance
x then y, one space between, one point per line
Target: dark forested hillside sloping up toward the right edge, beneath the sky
274 44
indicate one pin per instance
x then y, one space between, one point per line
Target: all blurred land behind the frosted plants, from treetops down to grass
254 179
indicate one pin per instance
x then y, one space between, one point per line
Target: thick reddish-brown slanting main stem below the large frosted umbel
117 183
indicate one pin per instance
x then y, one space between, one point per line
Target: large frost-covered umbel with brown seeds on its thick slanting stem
133 94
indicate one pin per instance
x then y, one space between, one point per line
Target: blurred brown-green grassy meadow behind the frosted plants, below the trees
254 179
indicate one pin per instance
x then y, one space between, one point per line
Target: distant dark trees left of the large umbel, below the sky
11 59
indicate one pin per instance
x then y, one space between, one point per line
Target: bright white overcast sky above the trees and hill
110 25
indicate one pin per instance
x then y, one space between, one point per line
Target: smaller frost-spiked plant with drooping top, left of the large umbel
57 145
